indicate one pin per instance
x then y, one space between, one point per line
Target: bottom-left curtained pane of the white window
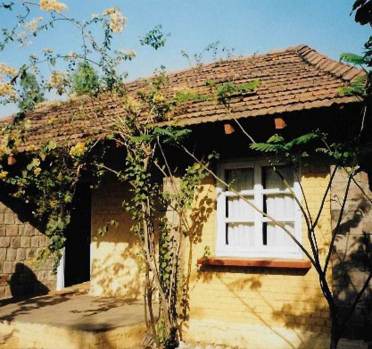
240 235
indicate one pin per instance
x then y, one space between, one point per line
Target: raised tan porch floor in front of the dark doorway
72 319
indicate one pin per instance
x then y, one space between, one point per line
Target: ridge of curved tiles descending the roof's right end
339 69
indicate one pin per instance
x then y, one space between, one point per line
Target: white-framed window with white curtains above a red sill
245 232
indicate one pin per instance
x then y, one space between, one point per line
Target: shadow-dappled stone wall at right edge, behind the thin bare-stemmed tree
353 251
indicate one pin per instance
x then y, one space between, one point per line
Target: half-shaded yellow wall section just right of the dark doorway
115 261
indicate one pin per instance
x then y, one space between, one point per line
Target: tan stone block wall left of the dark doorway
20 274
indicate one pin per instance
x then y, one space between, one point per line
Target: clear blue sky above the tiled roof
248 26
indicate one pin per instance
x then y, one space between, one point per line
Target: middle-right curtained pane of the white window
280 206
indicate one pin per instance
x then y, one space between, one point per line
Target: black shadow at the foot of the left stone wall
24 283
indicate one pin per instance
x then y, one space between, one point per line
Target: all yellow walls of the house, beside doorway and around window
247 308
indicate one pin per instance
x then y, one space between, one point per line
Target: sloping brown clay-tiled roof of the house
294 79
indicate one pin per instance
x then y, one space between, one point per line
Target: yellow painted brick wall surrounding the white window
259 308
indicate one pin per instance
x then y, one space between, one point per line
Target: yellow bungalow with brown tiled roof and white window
256 289
